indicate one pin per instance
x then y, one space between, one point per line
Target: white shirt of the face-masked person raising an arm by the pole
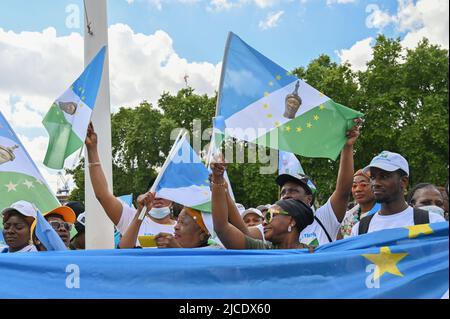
148 226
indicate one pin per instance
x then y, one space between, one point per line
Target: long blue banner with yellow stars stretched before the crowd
409 262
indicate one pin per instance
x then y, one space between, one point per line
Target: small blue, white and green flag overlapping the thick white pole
69 116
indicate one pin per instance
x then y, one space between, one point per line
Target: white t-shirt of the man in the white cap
402 219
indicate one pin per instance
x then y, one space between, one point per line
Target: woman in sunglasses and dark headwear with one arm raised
283 221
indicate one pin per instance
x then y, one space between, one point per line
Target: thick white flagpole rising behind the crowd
99 229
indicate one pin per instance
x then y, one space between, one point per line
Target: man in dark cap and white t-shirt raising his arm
327 218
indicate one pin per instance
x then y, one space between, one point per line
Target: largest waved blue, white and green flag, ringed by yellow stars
263 103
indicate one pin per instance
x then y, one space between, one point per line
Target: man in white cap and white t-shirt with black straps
389 175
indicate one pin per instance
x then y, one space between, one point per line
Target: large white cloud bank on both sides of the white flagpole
38 66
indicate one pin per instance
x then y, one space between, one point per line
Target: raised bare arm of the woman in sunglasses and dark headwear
230 236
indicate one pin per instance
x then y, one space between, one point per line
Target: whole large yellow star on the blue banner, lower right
386 261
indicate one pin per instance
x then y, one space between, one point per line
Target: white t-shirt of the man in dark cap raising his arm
314 235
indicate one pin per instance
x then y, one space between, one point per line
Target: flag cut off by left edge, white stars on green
20 178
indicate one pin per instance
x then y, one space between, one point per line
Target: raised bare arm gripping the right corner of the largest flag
339 198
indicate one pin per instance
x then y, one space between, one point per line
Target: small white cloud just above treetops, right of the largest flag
358 54
